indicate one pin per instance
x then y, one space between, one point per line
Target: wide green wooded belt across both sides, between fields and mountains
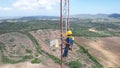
79 27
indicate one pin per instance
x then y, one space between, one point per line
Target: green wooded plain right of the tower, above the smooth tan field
82 29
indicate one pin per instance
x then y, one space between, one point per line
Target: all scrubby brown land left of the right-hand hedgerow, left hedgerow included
36 44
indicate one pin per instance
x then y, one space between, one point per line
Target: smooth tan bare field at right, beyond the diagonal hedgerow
106 50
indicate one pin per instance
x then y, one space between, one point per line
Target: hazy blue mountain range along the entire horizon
78 16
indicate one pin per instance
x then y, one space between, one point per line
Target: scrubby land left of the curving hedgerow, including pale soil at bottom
18 50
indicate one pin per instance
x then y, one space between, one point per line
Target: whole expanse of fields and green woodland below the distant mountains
25 44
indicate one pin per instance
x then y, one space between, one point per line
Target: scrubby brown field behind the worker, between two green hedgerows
45 36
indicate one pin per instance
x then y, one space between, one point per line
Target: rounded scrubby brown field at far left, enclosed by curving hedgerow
15 47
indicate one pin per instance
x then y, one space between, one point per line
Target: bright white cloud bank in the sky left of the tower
32 5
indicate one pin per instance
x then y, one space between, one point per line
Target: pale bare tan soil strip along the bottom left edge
50 64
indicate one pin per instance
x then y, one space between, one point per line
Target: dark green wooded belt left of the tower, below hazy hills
6 27
